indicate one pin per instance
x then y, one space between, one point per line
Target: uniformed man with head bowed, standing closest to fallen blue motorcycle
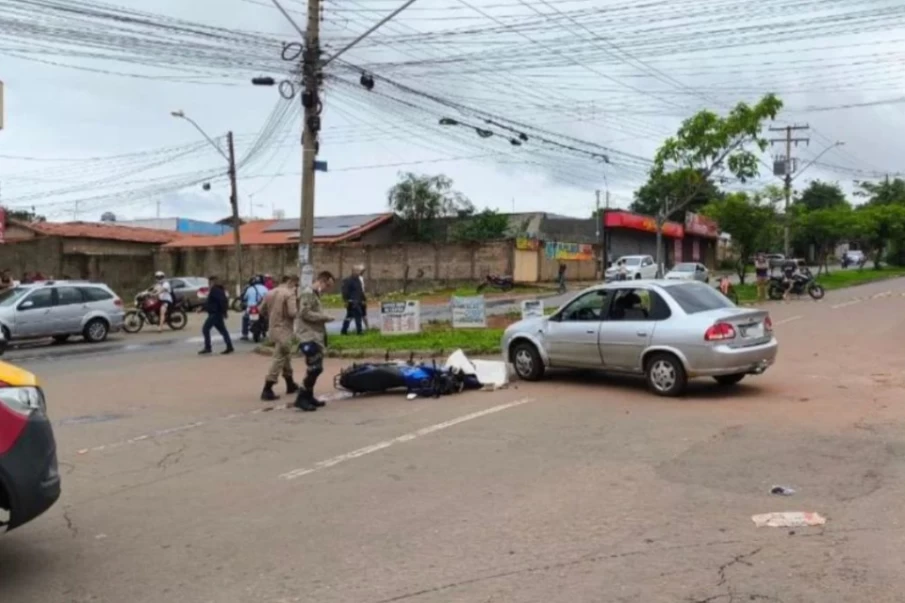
312 335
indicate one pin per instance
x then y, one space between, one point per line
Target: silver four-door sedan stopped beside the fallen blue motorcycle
668 331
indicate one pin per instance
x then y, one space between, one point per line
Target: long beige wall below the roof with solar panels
389 267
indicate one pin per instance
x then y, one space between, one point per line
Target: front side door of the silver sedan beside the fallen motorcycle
571 338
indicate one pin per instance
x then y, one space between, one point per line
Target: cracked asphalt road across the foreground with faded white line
582 488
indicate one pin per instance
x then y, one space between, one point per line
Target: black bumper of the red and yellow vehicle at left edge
29 473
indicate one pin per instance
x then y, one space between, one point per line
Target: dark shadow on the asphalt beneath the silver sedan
704 388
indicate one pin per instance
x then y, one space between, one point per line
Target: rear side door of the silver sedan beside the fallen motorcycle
629 326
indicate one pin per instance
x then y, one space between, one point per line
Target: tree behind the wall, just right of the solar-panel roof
420 200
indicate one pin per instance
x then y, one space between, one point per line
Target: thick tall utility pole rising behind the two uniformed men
311 125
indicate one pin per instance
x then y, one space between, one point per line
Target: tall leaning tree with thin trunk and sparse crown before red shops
707 145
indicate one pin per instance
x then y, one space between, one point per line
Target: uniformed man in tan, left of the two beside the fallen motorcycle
280 306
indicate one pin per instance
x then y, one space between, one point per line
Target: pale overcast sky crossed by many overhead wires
77 143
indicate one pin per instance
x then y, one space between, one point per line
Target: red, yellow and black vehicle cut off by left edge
29 475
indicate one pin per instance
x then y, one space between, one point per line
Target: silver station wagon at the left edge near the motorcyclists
60 309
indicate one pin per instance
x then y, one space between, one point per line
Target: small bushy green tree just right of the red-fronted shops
750 221
